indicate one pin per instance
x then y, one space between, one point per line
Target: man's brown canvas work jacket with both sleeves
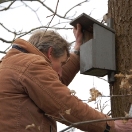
32 97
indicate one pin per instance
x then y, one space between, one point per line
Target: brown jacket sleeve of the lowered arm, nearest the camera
43 86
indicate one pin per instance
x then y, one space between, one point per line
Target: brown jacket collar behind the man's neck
29 47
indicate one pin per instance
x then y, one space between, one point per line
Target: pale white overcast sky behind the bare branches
23 18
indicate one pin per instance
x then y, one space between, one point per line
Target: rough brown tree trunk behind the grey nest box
121 12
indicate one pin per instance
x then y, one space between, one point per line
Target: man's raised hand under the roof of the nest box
79 36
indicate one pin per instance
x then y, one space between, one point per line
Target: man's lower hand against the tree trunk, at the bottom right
120 126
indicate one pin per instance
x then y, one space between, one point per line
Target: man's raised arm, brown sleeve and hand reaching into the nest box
71 68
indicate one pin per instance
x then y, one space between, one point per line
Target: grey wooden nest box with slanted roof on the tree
97 53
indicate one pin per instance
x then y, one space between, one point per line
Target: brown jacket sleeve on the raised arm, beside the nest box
70 69
